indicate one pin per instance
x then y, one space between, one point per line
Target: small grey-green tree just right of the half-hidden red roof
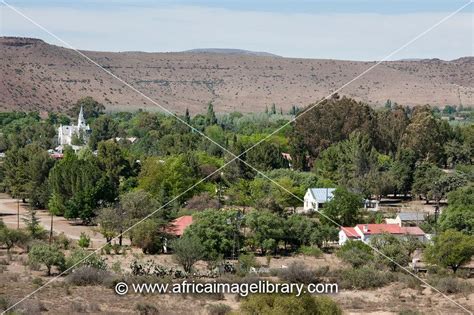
187 251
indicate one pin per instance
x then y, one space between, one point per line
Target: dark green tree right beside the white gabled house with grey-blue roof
344 208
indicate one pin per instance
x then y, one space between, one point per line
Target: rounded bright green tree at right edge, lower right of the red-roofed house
450 249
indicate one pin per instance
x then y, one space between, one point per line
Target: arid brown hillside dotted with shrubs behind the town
40 76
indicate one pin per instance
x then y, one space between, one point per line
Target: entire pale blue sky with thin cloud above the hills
333 29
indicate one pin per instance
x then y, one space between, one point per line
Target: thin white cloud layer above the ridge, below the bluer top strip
339 36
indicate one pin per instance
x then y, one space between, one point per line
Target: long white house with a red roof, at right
364 232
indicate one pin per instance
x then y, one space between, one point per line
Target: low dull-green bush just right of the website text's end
363 278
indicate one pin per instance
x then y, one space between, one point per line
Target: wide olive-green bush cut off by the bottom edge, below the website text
270 304
